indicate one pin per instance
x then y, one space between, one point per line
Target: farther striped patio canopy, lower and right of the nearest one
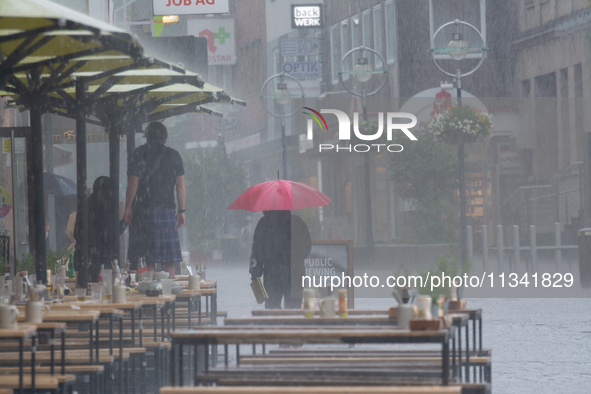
157 93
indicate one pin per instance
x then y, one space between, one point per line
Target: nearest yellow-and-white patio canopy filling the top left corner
44 38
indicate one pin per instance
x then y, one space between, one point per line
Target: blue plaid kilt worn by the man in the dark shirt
154 235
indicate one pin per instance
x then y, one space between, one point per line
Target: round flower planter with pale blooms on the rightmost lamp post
460 125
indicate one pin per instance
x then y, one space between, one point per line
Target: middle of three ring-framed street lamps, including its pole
363 72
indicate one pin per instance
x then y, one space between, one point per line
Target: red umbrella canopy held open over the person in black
280 195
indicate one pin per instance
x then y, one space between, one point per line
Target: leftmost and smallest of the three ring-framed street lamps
282 96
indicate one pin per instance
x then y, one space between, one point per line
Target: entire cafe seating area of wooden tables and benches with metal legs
147 344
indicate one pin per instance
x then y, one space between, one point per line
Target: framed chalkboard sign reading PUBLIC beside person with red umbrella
331 258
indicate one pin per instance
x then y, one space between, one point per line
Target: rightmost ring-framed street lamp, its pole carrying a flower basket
458 49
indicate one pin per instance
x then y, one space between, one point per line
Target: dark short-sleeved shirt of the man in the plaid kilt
157 167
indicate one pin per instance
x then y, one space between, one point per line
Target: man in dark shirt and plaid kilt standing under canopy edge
154 172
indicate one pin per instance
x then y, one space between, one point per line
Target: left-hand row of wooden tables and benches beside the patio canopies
99 347
